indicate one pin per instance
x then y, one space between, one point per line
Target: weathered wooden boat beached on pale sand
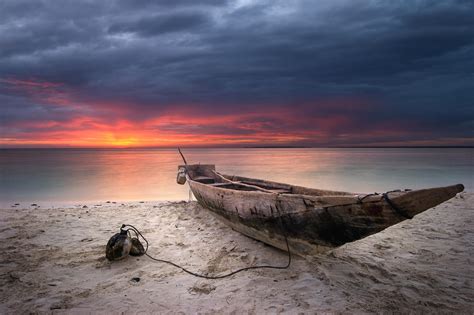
311 220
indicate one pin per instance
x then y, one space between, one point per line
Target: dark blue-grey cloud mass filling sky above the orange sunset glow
412 62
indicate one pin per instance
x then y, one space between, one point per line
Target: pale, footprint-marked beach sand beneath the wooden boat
53 261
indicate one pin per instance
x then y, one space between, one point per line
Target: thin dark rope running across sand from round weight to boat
137 232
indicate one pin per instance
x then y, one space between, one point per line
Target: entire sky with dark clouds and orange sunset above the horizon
141 73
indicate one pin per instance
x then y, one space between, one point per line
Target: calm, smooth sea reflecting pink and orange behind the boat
149 174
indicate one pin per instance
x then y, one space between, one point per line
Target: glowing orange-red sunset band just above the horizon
65 120
